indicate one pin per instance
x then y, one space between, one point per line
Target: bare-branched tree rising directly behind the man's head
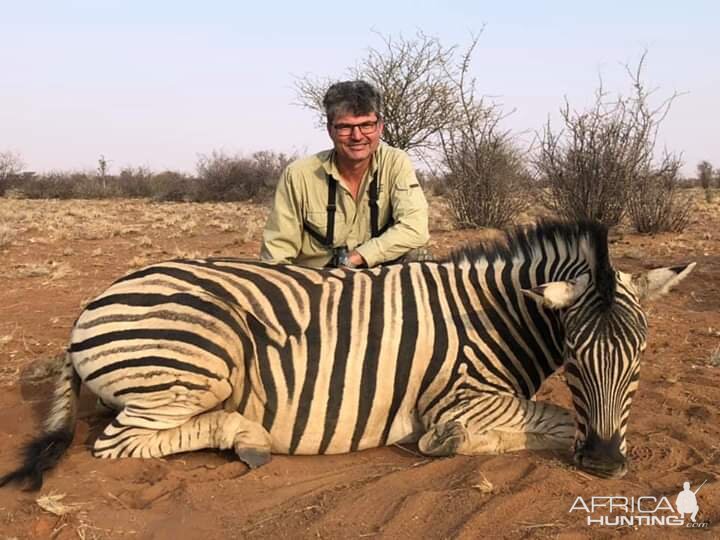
411 74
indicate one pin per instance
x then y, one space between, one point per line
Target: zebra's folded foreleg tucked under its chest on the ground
499 424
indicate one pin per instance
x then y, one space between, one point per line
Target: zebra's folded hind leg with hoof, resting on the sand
161 432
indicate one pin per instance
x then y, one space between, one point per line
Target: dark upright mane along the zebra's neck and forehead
527 242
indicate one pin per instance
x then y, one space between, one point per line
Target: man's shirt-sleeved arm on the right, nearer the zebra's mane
410 214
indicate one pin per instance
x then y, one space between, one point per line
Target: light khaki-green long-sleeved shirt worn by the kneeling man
302 197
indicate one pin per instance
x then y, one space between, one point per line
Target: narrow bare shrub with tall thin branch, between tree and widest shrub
485 172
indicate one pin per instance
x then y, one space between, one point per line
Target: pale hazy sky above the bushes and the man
159 83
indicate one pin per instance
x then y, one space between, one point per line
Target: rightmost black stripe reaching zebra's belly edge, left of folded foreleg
406 351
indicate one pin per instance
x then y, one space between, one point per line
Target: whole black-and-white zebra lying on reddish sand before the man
233 354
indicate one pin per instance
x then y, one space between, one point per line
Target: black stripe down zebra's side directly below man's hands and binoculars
340 360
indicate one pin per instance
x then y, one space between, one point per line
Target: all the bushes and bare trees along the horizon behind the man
600 163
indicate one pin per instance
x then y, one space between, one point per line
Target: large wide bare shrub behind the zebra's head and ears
592 166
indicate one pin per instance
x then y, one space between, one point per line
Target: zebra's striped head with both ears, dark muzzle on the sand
605 333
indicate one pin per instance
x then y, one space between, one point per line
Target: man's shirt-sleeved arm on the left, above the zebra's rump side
282 237
